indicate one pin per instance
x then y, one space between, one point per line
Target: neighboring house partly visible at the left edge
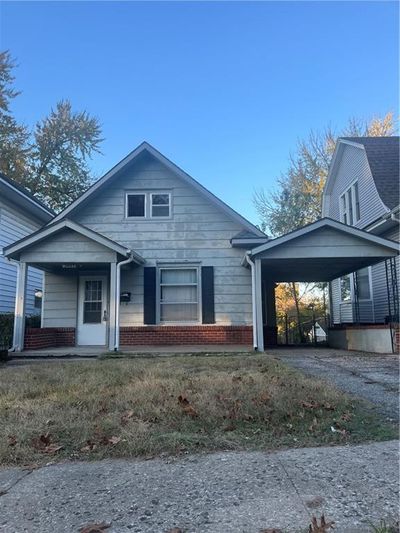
20 215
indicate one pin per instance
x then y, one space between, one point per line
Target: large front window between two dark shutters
179 295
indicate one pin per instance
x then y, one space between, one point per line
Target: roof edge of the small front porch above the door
47 231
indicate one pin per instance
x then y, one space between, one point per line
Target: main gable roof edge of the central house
146 147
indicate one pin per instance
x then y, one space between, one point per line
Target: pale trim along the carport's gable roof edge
324 222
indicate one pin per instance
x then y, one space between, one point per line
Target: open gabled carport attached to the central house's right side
320 252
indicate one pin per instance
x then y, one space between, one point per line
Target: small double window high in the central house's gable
148 205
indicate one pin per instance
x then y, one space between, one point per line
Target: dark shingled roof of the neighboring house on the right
383 157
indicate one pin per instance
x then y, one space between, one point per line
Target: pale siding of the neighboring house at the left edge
14 225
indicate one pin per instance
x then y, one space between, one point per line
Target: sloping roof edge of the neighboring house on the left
20 196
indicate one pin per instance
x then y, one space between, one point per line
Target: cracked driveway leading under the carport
373 377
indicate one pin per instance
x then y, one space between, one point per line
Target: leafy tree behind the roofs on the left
51 161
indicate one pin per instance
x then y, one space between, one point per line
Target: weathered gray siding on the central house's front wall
197 231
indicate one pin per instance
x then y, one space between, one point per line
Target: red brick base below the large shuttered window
170 335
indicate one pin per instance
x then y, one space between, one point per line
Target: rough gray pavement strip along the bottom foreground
218 493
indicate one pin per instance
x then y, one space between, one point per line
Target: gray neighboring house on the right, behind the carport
362 190
